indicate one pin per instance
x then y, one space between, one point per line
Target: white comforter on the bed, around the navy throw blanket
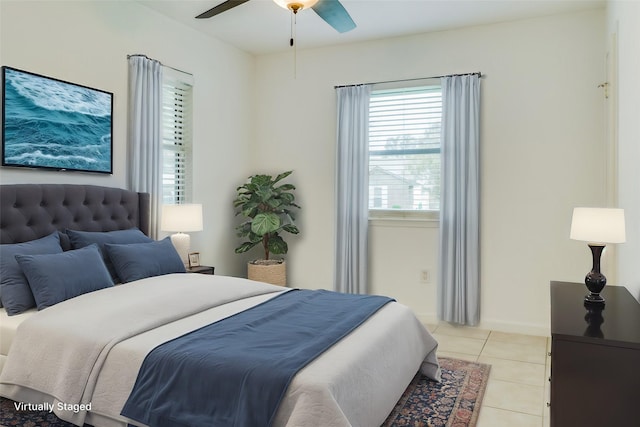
88 350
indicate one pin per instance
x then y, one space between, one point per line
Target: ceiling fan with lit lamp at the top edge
331 11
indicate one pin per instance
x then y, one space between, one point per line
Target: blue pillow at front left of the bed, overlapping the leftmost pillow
55 278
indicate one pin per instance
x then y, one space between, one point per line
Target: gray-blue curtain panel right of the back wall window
459 281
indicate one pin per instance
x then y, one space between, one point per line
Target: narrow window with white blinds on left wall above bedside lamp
176 137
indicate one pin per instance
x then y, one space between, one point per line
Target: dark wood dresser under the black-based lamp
595 358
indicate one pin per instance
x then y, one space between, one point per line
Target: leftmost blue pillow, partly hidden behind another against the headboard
15 293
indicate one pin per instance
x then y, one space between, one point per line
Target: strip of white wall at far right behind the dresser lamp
624 22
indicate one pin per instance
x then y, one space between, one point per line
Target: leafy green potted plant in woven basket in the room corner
268 207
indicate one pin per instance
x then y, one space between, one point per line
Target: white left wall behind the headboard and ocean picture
88 43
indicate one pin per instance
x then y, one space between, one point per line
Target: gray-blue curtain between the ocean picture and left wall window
145 132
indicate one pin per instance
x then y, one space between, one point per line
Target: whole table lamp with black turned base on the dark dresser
598 226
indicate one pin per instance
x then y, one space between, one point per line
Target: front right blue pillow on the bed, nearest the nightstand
140 260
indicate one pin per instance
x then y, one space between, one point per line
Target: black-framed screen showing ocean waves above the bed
53 124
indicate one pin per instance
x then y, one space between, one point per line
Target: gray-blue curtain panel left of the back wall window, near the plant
352 189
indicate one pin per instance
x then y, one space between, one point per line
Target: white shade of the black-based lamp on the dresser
598 225
